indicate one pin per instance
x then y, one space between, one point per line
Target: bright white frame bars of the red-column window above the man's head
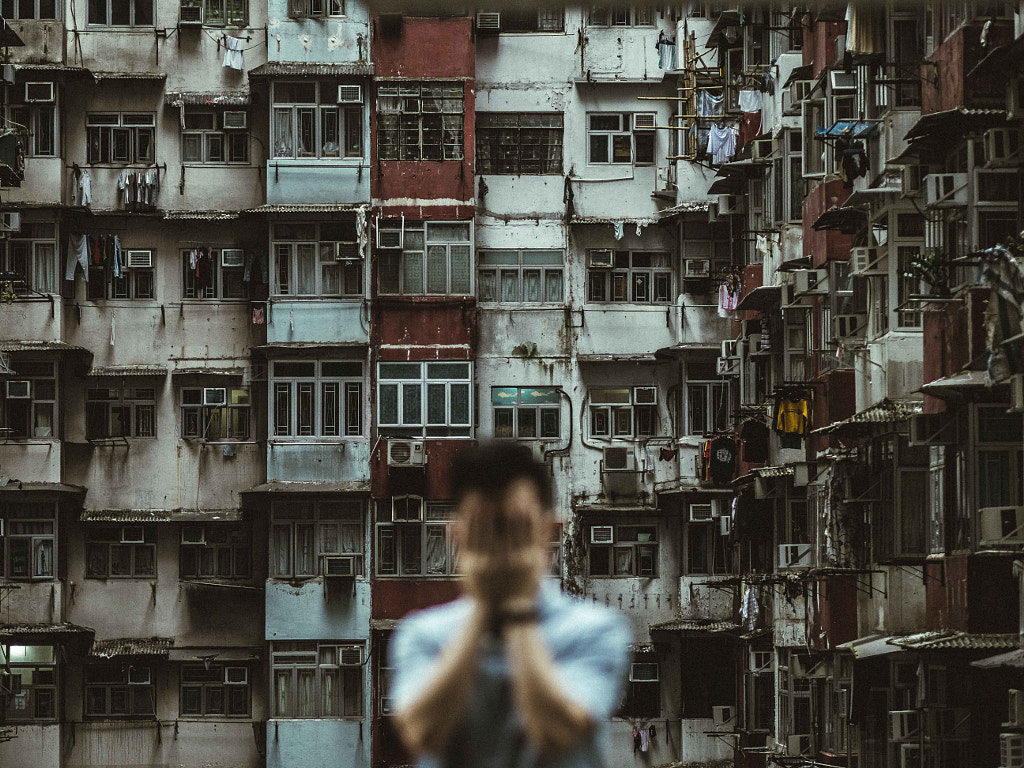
423 380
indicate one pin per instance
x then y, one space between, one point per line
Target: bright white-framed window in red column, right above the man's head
444 388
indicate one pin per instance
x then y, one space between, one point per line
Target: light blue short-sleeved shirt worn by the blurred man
589 645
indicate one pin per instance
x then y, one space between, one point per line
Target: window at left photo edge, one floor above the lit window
30 535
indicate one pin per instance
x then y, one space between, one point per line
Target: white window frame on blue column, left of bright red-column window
350 416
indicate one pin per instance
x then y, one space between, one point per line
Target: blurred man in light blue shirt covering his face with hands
516 673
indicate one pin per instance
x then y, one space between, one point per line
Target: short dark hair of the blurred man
492 467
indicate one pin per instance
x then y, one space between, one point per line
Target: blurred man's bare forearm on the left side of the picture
428 723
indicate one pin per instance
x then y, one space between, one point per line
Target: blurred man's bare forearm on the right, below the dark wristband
552 720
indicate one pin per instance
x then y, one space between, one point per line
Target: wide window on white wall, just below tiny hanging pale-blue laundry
638 277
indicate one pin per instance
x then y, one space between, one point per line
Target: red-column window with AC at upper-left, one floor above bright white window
436 261
